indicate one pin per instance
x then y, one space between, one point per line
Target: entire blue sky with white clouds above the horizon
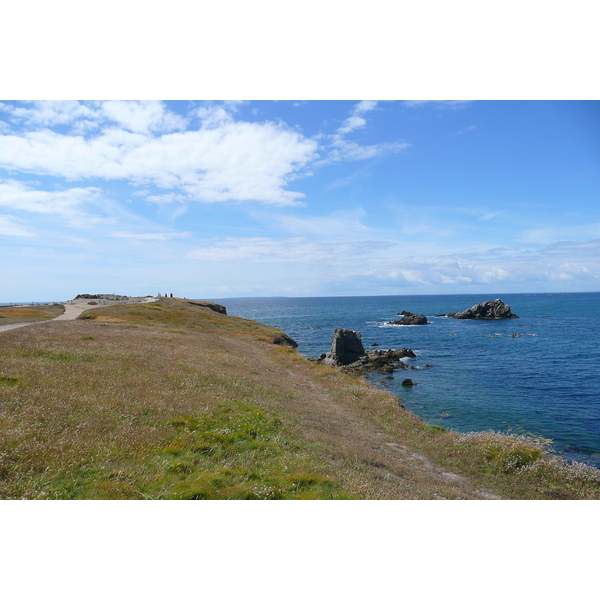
298 198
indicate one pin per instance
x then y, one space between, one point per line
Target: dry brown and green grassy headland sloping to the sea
172 400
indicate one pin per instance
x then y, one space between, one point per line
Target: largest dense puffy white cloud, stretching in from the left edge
236 161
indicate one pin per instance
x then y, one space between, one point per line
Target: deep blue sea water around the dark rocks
544 382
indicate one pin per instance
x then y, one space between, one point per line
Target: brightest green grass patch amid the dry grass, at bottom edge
240 452
